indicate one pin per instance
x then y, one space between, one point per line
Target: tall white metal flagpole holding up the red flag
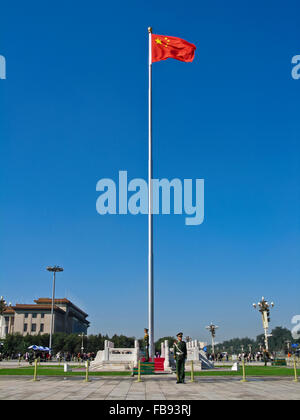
150 206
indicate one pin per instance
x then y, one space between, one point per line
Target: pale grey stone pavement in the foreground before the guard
160 387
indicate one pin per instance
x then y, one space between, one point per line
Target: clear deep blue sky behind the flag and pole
74 109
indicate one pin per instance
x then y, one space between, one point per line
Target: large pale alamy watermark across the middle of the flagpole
168 196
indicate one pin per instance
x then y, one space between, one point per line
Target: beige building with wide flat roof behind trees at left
36 318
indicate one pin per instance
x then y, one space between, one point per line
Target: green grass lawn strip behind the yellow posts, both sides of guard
59 371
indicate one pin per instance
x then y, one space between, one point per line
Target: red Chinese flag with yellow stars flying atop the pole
164 47
